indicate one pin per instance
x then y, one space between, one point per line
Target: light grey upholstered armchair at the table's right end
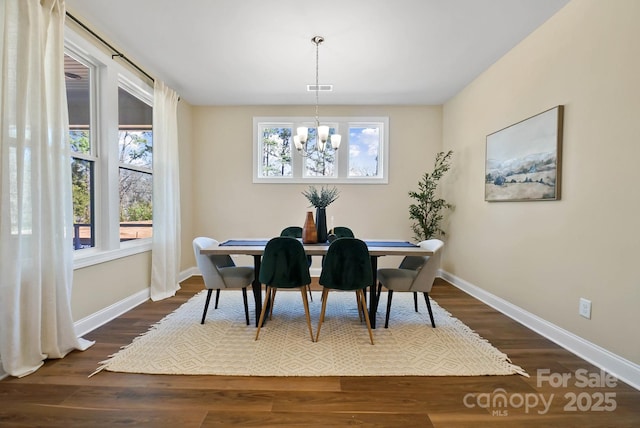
415 274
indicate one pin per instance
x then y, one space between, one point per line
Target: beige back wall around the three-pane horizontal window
228 204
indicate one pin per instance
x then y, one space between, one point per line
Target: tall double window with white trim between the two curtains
111 140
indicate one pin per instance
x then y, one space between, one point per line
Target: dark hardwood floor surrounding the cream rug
61 394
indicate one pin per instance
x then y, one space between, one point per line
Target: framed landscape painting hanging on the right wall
523 160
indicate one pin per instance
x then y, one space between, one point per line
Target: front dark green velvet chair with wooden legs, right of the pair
347 267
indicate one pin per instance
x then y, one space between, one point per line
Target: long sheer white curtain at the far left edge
36 256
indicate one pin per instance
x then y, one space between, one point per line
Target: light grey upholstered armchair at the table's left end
220 273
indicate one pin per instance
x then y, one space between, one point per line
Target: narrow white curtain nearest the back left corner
165 258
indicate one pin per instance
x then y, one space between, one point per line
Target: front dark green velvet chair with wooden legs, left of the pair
284 265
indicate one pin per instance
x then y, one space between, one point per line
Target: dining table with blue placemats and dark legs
377 248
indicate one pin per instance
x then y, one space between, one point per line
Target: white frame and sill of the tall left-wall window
107 76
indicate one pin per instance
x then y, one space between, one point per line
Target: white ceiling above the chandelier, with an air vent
258 52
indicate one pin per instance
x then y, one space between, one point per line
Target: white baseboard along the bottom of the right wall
619 367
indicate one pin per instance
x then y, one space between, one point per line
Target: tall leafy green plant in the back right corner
427 210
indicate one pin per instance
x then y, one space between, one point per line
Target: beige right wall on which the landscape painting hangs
544 256
